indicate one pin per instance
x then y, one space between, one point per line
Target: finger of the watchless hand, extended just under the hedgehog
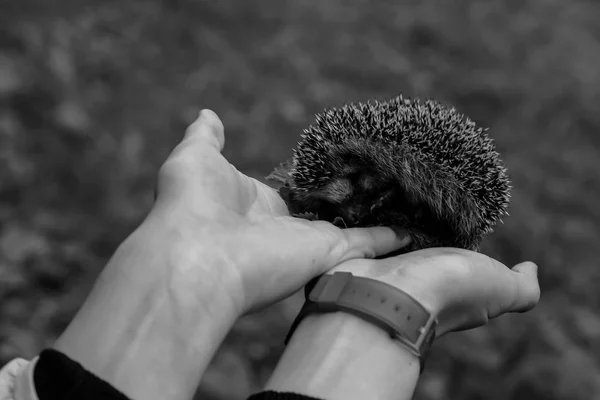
372 242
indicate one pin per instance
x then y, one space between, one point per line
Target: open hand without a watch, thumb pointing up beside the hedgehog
231 231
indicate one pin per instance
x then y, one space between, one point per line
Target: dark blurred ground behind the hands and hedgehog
94 95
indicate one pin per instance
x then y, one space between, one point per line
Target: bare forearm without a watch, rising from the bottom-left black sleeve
130 331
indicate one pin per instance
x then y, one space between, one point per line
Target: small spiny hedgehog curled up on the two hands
402 163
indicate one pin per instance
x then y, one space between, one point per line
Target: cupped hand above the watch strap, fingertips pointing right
464 289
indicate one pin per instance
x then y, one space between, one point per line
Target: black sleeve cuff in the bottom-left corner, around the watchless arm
57 377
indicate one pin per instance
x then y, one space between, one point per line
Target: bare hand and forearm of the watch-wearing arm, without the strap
342 356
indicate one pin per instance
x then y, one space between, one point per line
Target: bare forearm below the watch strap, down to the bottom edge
339 356
